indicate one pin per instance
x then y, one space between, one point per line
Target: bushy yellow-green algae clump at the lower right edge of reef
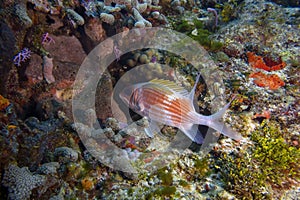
278 160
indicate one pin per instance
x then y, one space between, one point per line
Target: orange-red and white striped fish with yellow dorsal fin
163 101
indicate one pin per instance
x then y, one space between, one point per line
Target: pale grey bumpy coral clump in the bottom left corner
20 182
